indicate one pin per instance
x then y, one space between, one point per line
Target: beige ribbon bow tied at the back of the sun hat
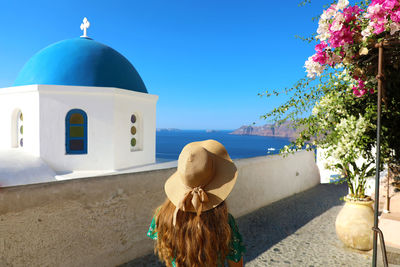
196 196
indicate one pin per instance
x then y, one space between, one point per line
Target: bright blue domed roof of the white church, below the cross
80 62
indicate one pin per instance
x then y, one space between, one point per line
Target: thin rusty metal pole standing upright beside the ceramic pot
378 153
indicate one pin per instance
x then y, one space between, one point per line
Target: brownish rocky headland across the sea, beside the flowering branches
283 130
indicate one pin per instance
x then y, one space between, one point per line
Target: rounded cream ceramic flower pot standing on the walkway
354 224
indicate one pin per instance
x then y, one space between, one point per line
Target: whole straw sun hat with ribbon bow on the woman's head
204 178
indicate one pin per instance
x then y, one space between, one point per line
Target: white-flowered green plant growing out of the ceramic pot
345 143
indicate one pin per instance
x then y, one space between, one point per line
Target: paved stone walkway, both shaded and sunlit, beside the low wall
296 231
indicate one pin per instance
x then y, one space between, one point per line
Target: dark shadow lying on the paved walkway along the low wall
269 225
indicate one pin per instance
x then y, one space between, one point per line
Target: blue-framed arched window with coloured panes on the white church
76 132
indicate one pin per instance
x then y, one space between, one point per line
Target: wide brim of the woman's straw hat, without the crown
217 190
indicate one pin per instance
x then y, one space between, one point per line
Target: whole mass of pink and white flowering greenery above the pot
341 124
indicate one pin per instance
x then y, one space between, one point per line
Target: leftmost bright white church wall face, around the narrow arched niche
25 98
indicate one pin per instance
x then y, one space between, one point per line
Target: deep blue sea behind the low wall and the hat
170 143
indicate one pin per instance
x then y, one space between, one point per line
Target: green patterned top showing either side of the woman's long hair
237 248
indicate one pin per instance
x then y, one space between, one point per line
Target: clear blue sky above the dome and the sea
206 60
